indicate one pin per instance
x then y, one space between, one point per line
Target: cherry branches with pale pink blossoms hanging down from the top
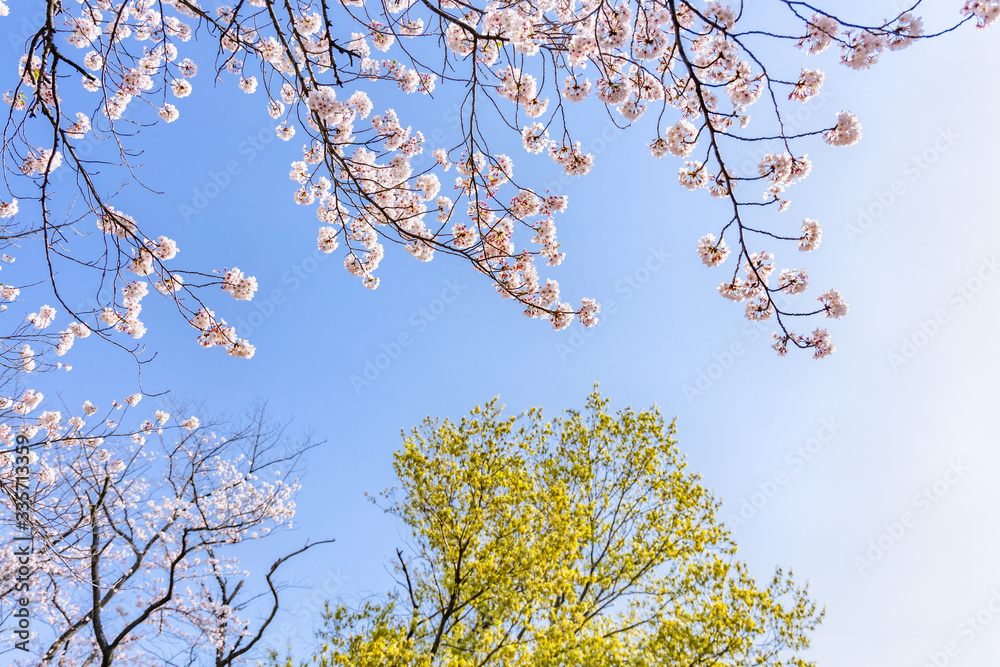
321 68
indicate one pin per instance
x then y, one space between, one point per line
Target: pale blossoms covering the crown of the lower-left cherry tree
165 496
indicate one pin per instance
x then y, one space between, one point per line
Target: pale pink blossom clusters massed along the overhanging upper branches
315 66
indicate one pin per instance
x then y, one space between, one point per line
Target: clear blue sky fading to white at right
872 473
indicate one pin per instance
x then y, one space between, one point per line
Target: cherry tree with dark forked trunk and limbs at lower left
135 527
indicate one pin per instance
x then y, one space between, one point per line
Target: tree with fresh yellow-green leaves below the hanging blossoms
577 541
